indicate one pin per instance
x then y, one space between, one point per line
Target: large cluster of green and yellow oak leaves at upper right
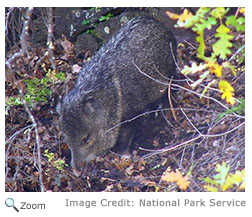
206 18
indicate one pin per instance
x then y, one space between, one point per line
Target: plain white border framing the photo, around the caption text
55 201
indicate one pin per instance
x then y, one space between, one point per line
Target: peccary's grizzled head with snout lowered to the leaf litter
83 122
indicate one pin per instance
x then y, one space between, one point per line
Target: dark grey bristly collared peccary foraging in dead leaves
115 85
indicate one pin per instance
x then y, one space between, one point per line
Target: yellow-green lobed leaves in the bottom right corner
225 181
